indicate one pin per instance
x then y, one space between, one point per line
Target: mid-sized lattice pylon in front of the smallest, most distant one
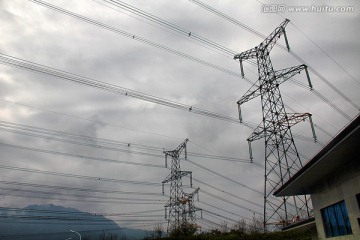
177 207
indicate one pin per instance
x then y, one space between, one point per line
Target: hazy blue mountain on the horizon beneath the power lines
55 222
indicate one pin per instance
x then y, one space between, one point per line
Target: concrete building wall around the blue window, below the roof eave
342 185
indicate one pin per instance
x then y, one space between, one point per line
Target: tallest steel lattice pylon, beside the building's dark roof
281 156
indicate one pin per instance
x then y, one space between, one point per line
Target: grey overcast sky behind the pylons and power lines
51 127
